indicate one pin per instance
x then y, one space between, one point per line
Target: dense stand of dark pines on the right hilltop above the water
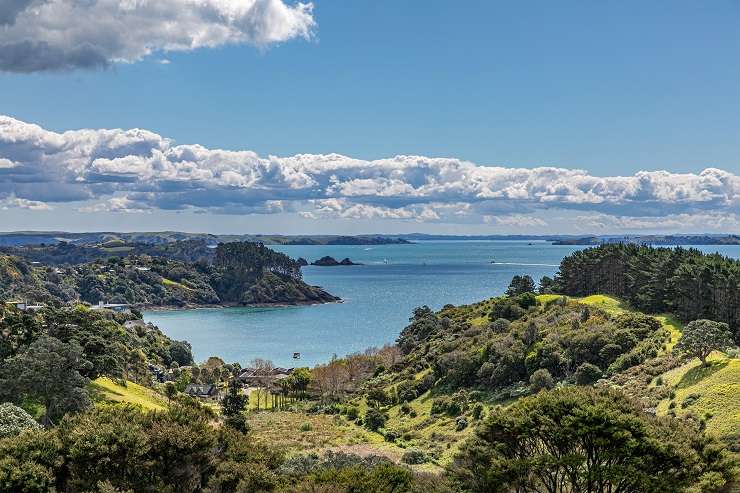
687 282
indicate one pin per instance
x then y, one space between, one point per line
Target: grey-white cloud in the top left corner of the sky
41 35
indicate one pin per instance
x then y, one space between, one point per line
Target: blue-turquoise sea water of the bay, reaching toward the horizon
378 298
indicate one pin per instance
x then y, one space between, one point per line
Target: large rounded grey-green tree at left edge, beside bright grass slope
47 371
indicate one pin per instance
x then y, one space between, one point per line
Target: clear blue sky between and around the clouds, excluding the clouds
612 88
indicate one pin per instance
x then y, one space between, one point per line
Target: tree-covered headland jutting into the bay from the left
239 273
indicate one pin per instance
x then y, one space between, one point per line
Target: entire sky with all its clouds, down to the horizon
272 116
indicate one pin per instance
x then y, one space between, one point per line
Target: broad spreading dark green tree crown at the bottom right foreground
577 435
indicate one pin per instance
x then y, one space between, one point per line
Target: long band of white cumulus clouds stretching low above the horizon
138 170
